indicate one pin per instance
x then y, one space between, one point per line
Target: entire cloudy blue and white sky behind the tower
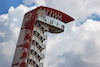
77 46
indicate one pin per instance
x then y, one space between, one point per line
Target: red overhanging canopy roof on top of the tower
54 13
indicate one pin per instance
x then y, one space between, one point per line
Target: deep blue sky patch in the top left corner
6 4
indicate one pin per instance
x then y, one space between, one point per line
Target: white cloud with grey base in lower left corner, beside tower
7 49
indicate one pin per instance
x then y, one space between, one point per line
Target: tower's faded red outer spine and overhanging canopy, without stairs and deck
27 28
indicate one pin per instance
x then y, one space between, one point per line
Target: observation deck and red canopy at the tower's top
50 17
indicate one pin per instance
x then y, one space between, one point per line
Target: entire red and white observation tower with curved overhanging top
31 42
